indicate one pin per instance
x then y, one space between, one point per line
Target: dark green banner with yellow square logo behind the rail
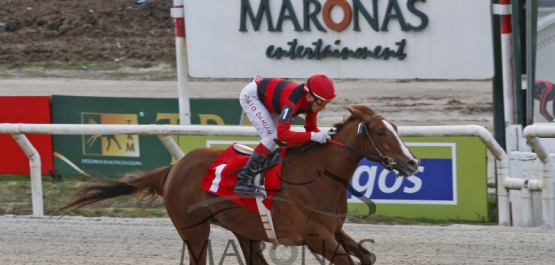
114 155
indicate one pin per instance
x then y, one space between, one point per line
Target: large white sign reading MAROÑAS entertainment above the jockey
435 39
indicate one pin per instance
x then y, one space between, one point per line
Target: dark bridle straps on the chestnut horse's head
386 161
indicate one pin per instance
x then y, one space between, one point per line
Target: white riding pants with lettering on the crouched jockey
264 121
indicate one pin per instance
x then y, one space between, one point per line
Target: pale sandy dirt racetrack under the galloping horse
79 240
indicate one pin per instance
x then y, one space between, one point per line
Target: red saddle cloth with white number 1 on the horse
221 176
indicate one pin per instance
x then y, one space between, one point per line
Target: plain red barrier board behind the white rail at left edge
24 110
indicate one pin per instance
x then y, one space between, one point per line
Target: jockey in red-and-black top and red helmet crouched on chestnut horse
271 104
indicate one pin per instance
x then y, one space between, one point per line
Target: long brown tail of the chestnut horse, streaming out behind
152 181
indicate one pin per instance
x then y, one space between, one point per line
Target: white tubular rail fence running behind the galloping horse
505 182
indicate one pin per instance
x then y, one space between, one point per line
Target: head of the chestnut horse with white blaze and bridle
373 137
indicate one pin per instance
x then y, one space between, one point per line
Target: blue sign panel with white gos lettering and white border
435 183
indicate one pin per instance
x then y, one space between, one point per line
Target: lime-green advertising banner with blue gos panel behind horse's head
451 183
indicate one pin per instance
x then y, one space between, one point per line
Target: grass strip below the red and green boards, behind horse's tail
15 198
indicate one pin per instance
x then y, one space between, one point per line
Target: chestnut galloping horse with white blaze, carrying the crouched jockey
311 214
